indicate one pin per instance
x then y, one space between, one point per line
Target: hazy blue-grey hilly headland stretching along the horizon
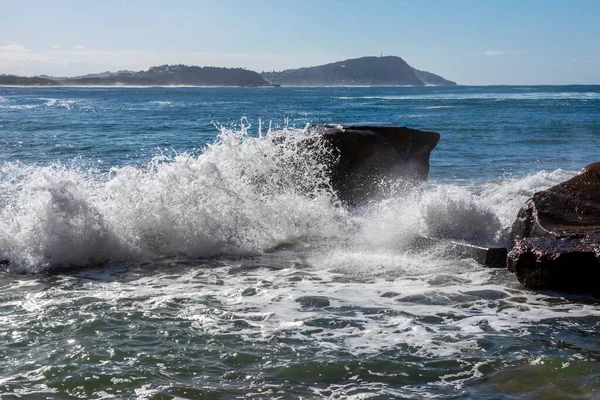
364 71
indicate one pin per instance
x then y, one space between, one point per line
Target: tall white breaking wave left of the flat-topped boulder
242 195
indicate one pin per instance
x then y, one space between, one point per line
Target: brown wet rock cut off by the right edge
556 236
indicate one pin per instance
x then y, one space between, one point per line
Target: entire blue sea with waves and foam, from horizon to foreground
201 269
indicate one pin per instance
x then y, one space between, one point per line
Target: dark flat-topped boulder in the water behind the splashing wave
368 156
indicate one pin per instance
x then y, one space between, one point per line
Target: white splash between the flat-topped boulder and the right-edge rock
383 240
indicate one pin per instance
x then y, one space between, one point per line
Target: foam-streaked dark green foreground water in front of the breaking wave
242 325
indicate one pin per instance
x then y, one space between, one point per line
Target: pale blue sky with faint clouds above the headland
483 42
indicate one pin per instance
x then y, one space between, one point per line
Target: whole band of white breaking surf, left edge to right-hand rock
242 195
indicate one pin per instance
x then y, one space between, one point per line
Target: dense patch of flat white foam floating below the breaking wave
434 315
